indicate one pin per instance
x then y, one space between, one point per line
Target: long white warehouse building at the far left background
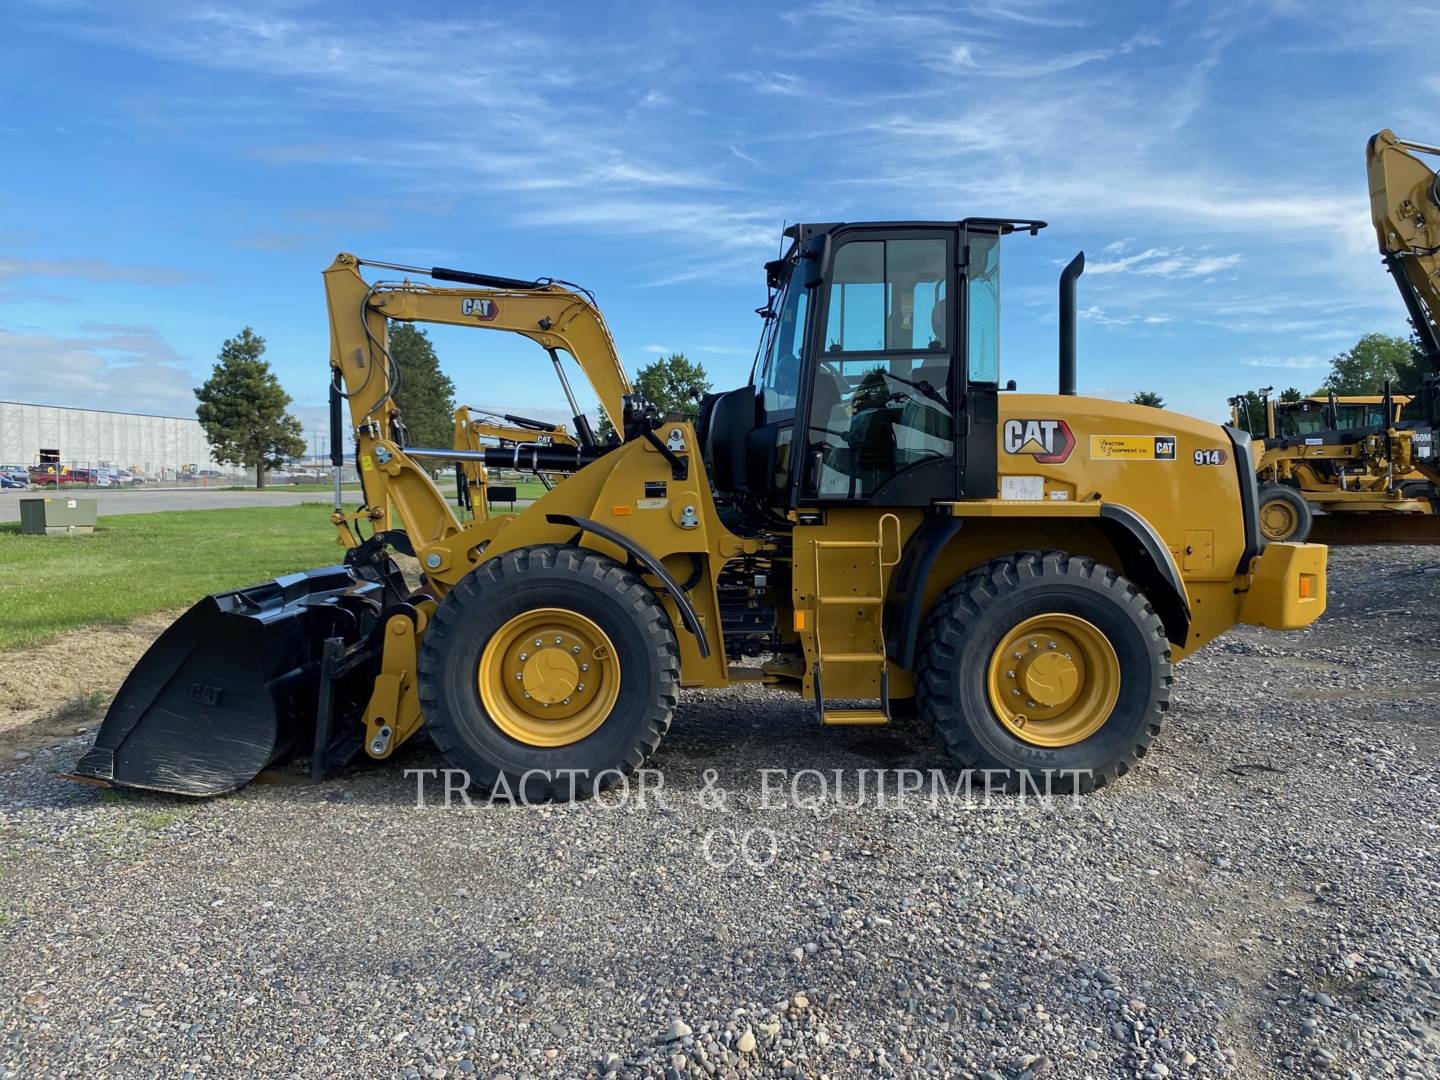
96 438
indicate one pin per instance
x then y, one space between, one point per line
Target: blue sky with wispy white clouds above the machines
172 174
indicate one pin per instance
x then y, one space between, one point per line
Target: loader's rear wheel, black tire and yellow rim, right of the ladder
1108 672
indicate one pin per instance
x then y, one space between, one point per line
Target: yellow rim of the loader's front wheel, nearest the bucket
549 678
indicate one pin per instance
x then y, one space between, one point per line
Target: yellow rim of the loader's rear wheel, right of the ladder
1055 680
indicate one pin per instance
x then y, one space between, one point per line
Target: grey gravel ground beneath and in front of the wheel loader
1261 899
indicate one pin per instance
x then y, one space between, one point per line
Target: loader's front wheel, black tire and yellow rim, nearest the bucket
580 731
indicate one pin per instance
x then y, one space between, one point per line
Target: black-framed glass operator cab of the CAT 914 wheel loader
878 375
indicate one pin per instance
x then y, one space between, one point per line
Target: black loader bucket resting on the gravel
233 686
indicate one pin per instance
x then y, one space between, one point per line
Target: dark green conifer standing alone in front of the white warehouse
243 410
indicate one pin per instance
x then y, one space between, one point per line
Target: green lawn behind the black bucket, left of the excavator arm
140 564
